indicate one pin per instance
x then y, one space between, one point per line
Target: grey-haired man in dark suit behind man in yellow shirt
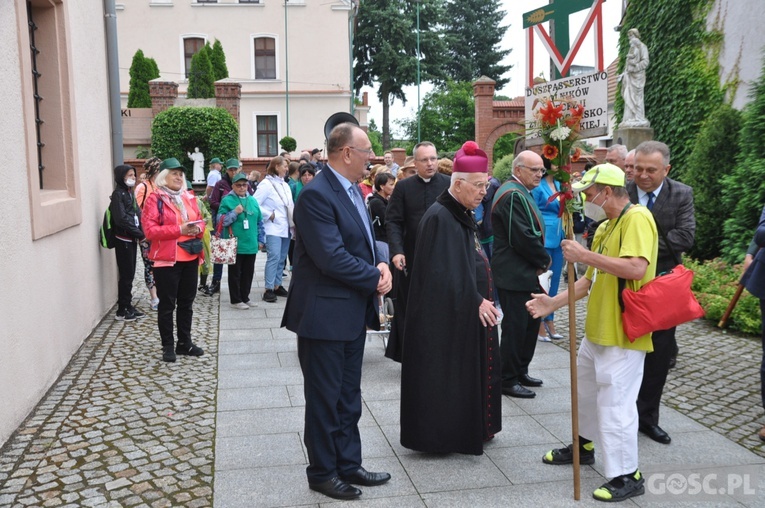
672 205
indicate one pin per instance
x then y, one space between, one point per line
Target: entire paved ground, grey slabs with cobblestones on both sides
122 428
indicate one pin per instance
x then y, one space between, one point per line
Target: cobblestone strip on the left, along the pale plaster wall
121 427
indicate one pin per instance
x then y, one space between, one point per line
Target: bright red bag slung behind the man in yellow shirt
662 303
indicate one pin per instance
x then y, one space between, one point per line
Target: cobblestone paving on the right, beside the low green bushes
716 381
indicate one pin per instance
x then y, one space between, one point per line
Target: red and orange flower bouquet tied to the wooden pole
558 121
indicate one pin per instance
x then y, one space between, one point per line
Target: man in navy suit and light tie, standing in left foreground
337 276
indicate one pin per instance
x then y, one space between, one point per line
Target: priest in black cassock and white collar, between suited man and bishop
410 200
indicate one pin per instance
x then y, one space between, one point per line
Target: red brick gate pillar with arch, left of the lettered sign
494 119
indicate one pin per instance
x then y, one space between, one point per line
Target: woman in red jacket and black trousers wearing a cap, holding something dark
174 226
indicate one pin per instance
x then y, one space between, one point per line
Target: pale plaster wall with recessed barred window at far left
57 282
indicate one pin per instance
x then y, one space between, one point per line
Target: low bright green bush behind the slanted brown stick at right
714 285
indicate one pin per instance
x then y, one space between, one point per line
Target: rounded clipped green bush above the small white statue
176 131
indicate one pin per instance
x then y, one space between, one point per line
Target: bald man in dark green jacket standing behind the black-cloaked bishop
519 258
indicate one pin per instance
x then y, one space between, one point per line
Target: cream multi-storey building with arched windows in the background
291 57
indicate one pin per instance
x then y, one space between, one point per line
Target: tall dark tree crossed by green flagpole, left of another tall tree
385 49
